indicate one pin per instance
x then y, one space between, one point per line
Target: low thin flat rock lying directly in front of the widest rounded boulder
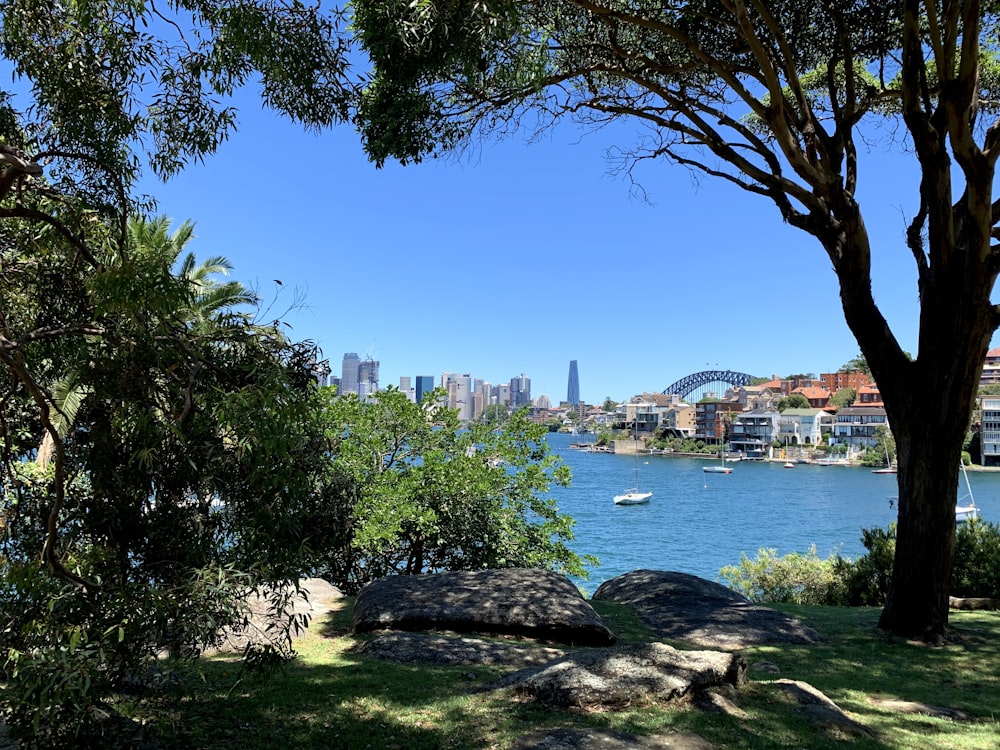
425 648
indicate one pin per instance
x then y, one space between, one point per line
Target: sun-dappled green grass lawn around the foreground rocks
336 697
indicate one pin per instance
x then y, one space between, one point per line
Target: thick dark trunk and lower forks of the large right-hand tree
928 401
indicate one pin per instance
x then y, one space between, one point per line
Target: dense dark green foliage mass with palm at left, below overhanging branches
158 446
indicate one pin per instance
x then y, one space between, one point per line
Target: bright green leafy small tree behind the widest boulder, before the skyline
424 493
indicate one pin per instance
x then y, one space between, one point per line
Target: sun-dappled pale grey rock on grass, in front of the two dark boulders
617 677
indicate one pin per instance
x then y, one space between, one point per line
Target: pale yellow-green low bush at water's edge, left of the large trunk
792 579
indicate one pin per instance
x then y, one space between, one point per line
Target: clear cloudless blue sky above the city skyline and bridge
520 257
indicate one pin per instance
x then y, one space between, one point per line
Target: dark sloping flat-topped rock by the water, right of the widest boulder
683 607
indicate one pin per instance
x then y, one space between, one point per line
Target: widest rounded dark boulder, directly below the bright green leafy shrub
525 602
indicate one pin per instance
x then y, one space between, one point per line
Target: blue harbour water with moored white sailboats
697 522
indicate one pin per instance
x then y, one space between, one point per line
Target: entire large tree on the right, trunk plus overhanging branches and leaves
775 99
